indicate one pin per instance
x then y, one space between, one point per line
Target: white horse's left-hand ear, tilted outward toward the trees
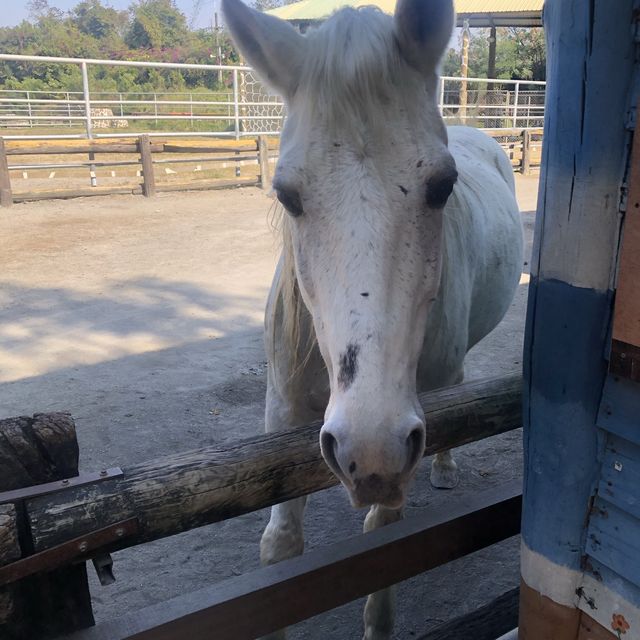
270 45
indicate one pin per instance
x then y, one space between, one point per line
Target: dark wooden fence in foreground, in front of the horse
76 519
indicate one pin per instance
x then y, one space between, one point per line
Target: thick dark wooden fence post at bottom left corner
33 451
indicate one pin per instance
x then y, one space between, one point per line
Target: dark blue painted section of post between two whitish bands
564 375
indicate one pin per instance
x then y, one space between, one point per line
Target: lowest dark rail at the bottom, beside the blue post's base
485 623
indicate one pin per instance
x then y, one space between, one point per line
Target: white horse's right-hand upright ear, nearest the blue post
423 29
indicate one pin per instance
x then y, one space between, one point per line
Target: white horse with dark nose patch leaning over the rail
402 249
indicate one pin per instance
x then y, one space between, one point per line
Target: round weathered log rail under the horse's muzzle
187 490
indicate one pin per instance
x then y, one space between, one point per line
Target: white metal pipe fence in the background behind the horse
243 108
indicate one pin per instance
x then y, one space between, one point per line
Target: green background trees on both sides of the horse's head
156 30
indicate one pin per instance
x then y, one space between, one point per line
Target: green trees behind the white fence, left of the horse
153 30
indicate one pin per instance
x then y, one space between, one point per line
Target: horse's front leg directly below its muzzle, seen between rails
380 610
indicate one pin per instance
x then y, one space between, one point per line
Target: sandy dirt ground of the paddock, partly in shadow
142 317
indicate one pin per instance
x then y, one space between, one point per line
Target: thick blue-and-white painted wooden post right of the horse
591 72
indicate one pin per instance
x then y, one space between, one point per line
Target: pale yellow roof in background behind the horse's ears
478 13
